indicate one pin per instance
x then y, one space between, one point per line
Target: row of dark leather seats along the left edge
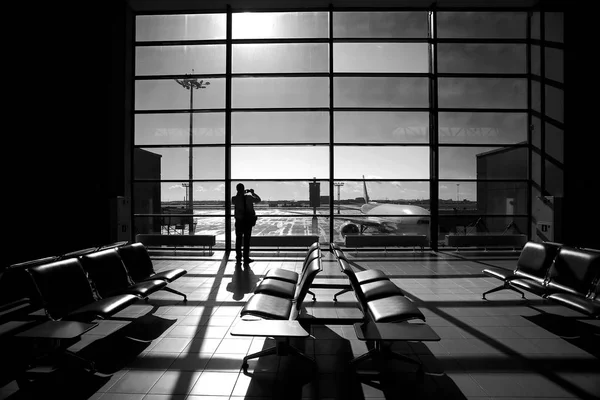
82 287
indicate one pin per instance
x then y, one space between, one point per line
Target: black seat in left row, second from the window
110 277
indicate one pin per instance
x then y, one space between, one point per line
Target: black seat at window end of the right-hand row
531 269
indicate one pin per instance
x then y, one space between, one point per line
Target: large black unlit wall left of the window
65 144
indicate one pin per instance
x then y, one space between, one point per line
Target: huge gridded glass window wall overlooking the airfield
358 121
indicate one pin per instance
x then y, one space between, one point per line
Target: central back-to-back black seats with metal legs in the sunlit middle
280 295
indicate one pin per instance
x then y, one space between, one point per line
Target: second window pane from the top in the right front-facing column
482 58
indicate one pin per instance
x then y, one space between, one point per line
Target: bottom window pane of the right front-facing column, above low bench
475 225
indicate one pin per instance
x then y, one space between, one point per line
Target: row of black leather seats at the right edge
562 274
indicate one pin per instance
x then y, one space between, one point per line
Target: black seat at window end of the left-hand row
137 260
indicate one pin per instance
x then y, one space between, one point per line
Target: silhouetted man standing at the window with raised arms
245 219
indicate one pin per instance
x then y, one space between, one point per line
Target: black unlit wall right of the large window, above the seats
581 218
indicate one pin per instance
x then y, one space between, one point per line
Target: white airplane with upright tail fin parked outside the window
387 218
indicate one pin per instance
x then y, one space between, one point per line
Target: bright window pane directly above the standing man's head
281 162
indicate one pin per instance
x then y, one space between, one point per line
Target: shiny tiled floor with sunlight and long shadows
503 348
